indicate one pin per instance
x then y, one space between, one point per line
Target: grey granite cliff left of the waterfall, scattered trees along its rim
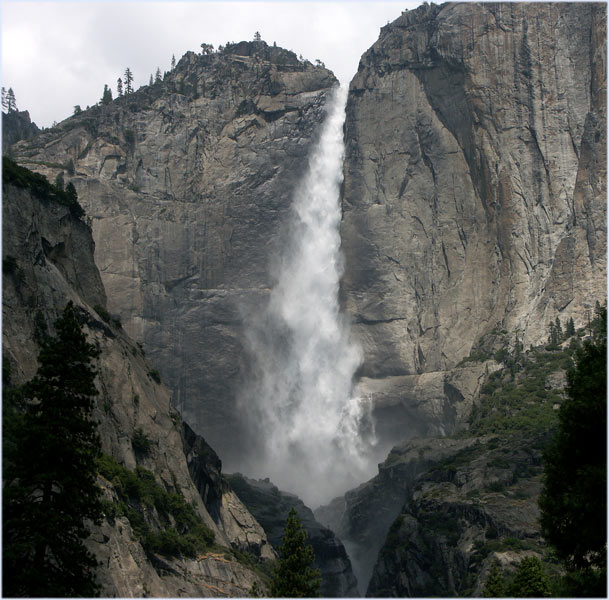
187 183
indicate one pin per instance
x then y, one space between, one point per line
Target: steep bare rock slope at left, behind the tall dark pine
48 260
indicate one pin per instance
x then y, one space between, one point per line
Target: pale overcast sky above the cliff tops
59 54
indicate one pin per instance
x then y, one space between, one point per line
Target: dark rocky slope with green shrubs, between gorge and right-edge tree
441 510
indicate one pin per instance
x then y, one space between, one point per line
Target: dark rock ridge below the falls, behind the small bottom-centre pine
271 506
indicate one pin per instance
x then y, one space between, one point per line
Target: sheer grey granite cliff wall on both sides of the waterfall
473 202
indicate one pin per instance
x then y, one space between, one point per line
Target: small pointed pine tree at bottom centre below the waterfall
294 576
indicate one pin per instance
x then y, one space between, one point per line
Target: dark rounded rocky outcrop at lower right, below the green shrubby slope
475 505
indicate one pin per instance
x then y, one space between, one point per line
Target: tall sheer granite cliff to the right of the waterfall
475 185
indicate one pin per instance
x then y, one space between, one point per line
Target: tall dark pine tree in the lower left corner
49 471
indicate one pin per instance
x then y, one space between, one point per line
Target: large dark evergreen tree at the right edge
573 501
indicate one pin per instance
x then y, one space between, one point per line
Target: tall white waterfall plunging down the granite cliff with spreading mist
314 434
